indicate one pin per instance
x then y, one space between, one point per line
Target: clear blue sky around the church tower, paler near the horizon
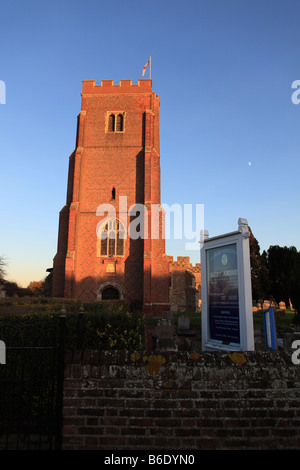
223 70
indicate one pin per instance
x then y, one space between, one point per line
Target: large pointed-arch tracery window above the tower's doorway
111 237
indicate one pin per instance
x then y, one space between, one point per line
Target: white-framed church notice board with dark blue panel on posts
227 321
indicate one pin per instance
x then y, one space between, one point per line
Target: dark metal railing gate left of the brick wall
31 385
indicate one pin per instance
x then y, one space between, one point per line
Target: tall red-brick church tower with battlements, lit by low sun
114 173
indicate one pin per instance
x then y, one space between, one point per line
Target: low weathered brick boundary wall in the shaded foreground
116 400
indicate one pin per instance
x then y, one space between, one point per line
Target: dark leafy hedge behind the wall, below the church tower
106 325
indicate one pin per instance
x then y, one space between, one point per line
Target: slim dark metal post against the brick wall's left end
60 381
